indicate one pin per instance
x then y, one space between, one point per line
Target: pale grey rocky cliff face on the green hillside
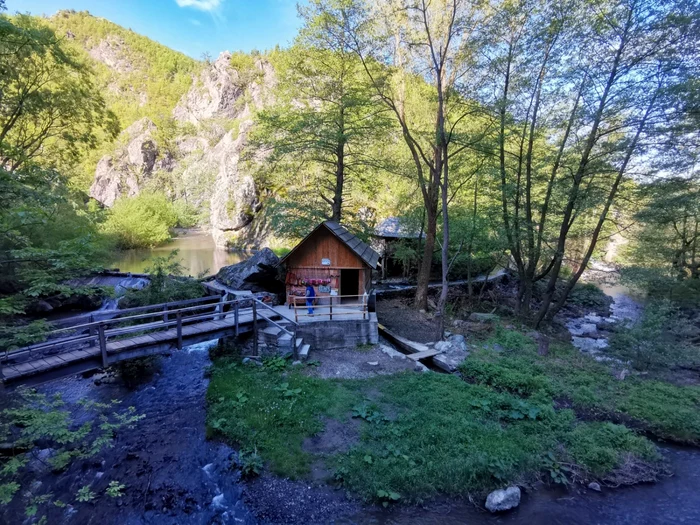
205 163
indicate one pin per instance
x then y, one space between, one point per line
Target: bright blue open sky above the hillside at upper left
190 26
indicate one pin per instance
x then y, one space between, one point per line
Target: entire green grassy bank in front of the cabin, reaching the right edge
514 417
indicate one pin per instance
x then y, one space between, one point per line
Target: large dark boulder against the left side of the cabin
257 274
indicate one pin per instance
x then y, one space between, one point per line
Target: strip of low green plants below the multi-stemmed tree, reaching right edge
666 410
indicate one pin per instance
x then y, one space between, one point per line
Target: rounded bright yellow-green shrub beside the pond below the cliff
142 221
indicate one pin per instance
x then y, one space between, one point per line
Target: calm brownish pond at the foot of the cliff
196 251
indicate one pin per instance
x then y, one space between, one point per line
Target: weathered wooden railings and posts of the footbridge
154 318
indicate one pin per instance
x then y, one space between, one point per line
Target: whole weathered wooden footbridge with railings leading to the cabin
111 336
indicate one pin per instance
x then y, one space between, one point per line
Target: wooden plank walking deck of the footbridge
141 345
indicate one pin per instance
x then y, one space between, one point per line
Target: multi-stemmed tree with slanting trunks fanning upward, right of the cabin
580 87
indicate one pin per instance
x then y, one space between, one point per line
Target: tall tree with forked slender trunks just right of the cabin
416 45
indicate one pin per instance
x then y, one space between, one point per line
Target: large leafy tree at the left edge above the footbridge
50 113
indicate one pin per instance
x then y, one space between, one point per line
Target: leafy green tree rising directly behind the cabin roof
324 126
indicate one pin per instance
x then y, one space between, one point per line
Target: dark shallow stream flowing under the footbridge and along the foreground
174 475
